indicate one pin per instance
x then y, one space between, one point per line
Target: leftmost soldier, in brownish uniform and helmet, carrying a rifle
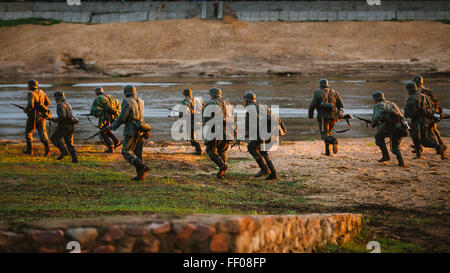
37 112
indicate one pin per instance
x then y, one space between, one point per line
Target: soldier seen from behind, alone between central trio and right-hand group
326 101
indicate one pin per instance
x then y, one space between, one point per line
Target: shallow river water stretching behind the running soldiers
292 94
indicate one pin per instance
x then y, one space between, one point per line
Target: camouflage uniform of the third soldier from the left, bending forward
98 109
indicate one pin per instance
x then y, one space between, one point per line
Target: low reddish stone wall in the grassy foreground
195 233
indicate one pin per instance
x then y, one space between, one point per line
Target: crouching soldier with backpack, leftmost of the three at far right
388 118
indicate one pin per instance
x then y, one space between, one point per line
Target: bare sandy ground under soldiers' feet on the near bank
353 177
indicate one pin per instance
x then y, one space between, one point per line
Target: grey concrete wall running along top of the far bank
107 12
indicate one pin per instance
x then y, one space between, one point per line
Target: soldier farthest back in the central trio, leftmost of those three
193 108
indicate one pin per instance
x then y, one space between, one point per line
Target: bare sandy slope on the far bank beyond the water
199 47
